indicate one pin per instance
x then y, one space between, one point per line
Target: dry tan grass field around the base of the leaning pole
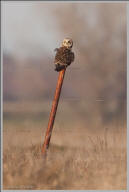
79 157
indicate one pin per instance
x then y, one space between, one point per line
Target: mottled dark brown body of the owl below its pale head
63 58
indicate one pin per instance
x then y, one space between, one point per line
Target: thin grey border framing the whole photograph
2 90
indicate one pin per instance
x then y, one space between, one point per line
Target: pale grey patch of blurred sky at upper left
25 31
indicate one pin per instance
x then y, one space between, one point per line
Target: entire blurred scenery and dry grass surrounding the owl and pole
88 143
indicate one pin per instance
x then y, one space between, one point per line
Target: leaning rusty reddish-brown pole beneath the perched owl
53 111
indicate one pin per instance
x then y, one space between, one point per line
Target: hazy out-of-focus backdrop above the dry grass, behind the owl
94 90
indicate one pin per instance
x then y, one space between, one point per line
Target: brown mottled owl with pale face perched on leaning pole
64 56
